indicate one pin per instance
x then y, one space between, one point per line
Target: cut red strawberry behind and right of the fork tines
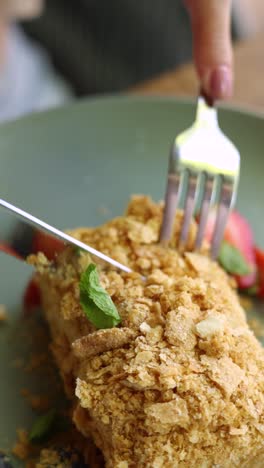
239 234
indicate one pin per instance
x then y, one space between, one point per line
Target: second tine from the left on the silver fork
192 189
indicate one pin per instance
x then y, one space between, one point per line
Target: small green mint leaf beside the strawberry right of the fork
232 260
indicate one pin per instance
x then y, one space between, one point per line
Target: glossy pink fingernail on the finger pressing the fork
220 83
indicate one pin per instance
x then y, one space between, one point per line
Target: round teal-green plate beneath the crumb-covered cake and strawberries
78 166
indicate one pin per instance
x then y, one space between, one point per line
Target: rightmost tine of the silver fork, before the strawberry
225 201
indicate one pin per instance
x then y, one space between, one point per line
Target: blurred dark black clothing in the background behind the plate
104 46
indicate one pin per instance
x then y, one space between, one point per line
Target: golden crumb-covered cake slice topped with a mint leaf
162 372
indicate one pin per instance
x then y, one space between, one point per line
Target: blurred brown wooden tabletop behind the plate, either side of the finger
249 77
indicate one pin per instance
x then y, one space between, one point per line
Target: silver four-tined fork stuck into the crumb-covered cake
203 165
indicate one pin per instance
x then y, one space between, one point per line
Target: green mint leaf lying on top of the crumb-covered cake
96 302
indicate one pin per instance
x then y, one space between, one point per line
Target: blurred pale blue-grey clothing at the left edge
28 81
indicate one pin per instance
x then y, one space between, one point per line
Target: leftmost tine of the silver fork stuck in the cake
173 194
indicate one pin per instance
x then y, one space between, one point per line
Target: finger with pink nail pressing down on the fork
212 47
